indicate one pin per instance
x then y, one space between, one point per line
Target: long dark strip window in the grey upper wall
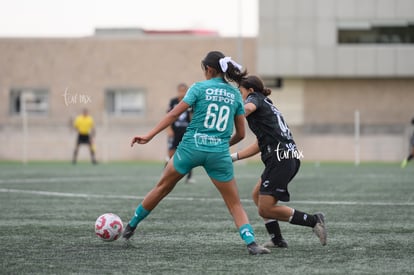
376 33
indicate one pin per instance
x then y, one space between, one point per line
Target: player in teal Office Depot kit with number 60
217 109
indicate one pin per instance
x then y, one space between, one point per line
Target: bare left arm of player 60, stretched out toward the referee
168 119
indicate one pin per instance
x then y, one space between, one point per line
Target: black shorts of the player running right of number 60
277 175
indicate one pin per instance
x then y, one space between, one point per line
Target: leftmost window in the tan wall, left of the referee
33 101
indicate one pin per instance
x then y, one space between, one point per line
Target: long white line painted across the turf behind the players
80 195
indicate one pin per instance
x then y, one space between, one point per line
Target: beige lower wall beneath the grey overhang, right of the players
321 113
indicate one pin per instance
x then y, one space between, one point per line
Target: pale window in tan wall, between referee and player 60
125 101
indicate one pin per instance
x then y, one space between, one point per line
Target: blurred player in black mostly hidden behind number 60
176 131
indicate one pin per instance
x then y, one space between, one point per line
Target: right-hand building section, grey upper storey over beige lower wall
332 61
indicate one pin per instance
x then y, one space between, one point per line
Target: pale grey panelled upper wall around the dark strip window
298 38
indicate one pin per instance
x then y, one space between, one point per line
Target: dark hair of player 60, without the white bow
232 73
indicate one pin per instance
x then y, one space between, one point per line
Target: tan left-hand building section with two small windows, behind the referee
125 77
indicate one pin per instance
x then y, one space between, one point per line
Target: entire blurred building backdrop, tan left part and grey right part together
341 71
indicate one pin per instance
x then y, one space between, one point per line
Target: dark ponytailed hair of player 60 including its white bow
231 70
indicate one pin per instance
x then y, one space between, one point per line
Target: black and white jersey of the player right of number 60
268 125
